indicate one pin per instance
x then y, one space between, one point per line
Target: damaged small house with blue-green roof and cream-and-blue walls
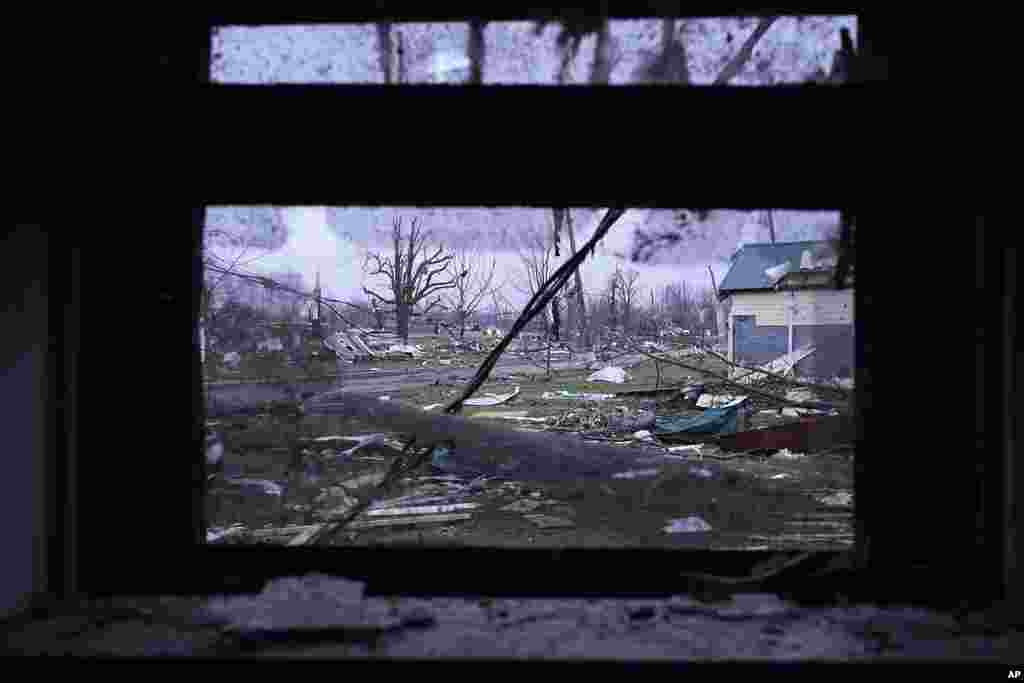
784 302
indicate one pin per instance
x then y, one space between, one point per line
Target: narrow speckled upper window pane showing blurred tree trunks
751 52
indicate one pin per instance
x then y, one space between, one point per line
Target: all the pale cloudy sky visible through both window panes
335 241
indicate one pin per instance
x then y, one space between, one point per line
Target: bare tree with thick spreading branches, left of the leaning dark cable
410 273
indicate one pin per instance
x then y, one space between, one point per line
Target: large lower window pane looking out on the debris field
628 412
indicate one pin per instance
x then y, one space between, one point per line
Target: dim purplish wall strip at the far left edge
24 354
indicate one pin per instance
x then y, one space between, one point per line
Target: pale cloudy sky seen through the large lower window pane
336 241
